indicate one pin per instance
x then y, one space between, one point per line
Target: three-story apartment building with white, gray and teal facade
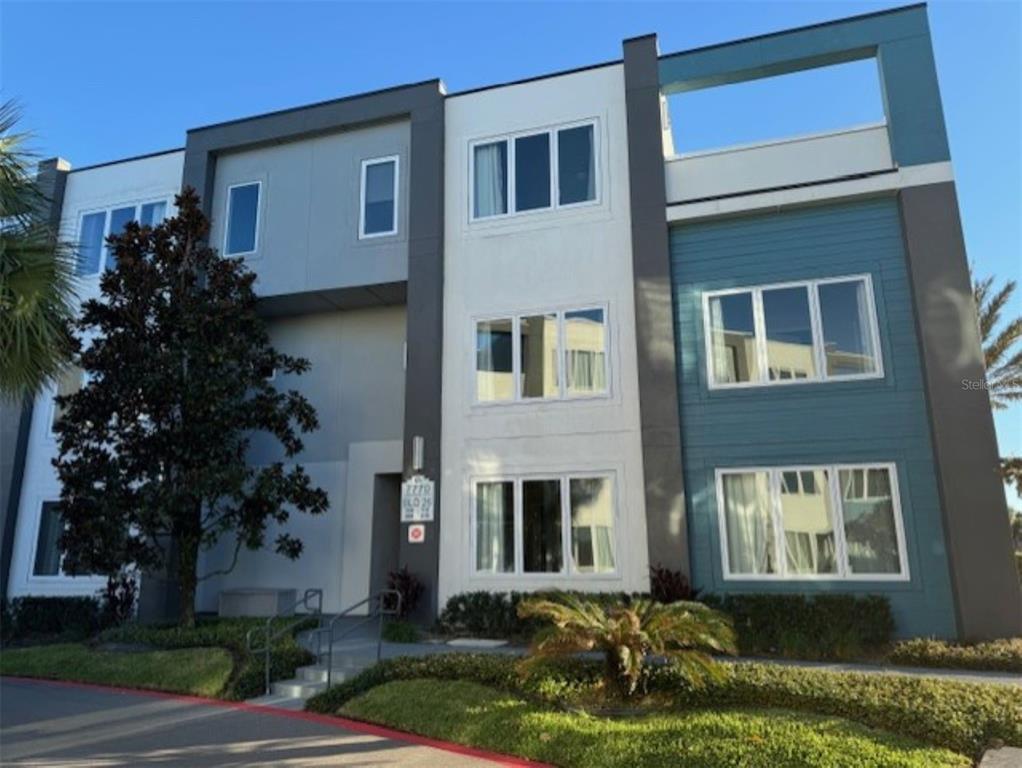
744 365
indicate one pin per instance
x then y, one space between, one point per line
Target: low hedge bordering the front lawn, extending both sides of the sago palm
964 717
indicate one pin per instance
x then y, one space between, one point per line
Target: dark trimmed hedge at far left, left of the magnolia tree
51 618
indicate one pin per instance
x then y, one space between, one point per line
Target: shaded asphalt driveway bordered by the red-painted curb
48 725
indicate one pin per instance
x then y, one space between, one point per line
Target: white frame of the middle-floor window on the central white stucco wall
563 392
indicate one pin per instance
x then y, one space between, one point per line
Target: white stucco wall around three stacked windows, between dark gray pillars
529 264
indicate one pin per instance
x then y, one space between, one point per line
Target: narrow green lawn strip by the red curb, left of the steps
202 672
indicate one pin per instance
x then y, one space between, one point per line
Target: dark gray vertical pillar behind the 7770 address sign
426 332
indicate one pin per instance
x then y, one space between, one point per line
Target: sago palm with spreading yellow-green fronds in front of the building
629 634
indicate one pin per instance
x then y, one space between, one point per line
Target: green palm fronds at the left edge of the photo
37 274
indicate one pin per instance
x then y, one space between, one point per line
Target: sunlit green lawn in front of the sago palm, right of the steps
475 715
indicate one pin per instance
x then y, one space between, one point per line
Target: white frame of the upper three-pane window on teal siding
816 319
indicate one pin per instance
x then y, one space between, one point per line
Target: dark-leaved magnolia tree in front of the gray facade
154 449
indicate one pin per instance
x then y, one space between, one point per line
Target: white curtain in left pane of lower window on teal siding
748 520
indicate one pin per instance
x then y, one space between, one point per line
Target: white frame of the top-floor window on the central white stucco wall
555 204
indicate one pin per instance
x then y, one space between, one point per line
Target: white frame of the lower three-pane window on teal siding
841 547
